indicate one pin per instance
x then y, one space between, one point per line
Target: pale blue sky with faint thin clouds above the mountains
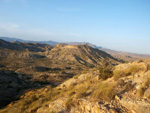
122 25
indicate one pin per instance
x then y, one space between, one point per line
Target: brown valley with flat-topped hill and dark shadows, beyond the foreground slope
26 66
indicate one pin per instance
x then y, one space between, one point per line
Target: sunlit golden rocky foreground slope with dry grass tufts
126 91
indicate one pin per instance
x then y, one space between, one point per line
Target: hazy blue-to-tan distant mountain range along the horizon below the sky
117 54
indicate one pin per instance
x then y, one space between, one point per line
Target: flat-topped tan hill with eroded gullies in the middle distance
83 54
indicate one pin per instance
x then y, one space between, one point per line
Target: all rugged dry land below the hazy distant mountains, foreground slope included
39 78
